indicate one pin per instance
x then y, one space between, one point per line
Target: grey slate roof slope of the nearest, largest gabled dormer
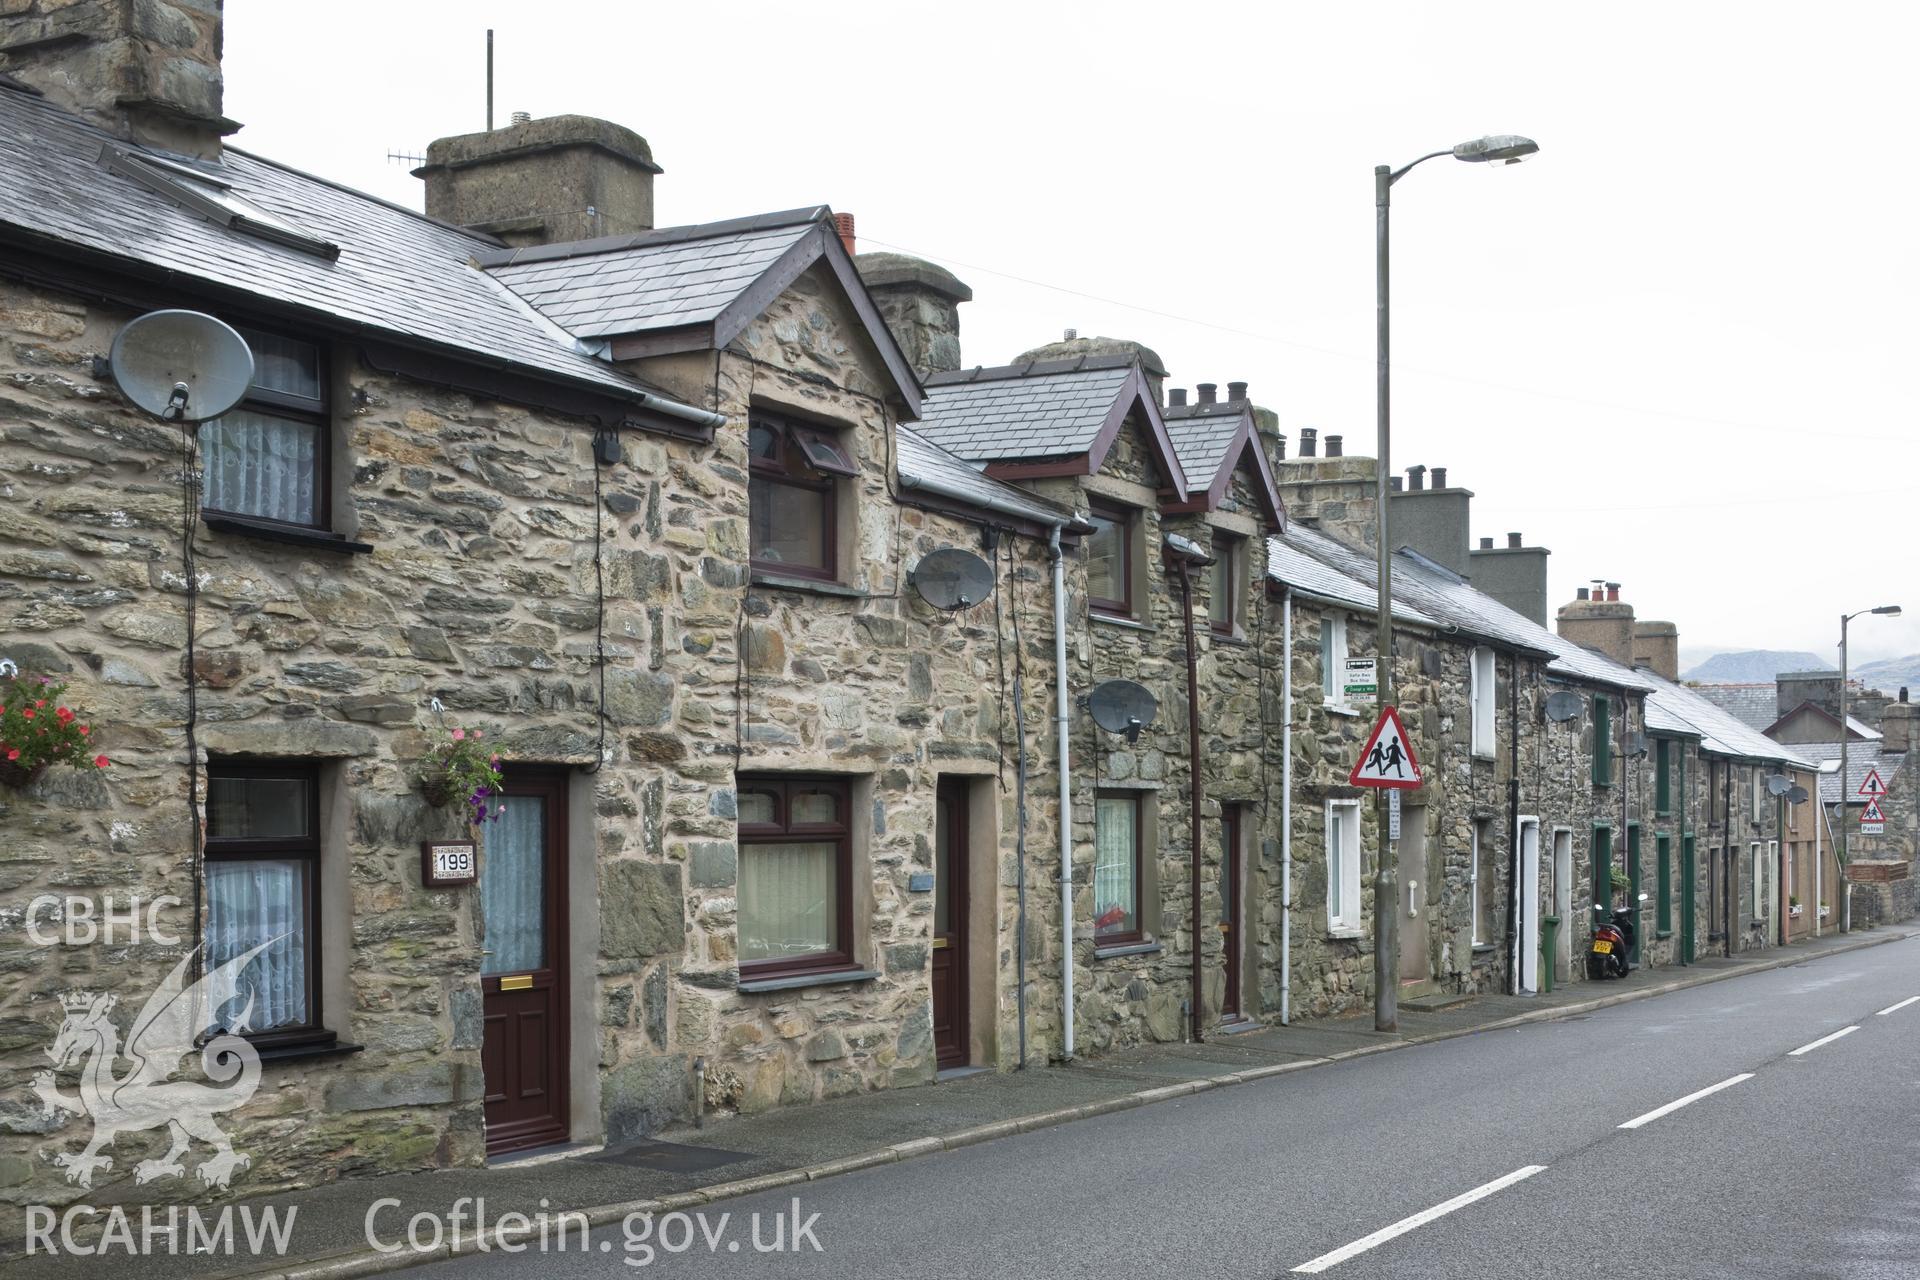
656 279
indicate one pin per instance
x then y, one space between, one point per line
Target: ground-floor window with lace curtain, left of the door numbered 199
262 868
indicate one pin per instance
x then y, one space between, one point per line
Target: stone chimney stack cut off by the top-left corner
143 70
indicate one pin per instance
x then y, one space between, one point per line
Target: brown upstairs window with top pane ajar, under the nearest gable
792 496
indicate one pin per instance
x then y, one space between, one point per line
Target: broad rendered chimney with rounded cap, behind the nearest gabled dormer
548 181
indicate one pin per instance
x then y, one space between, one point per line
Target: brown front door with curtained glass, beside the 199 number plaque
523 966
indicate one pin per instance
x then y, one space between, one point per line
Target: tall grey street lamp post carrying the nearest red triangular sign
1502 149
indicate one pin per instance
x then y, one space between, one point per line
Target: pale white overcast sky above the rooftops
1671 346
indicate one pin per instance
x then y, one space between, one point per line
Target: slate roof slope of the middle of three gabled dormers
1024 412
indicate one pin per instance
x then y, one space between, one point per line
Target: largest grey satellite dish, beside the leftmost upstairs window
181 366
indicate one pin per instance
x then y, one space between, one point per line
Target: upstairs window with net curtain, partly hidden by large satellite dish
270 458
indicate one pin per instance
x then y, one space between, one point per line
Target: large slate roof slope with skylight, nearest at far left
398 273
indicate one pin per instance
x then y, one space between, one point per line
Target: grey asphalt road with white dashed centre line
1806 1168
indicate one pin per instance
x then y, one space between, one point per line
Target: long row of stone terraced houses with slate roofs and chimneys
794 638
